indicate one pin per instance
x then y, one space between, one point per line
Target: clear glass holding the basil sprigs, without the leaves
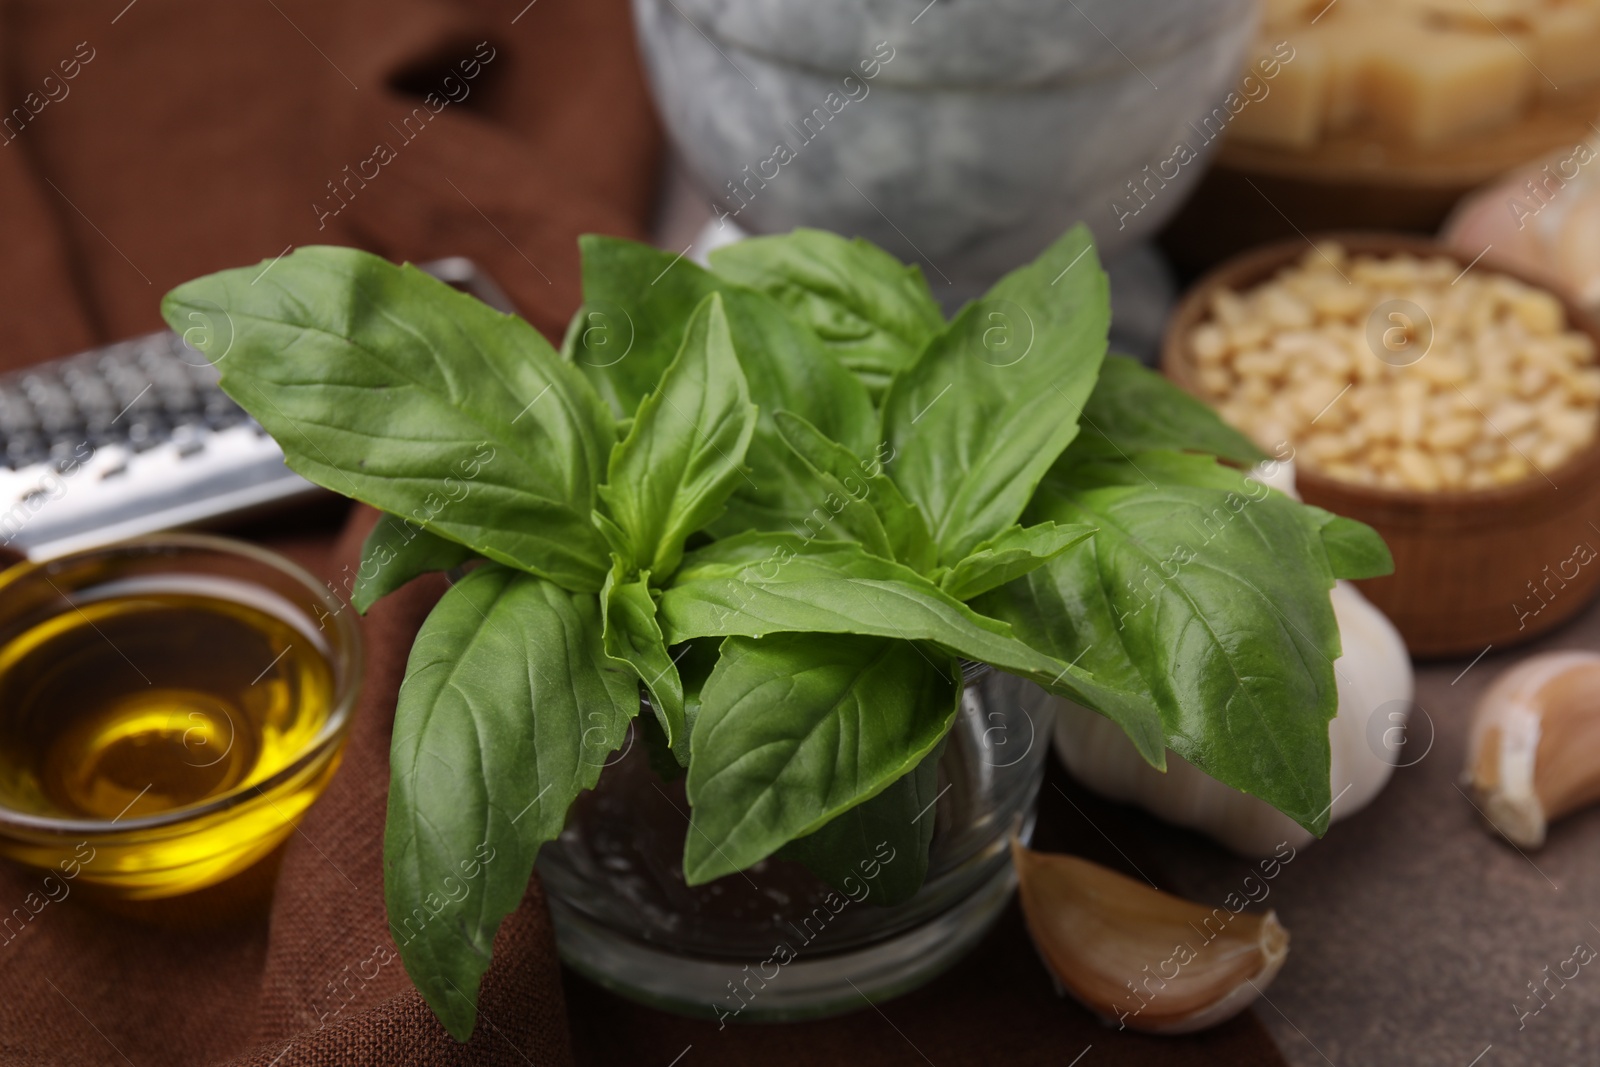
775 943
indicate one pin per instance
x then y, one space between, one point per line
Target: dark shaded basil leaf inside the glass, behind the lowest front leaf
879 849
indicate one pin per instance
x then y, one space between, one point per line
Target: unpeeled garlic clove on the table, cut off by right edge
1535 740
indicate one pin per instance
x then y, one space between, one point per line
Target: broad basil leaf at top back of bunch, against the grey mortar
873 311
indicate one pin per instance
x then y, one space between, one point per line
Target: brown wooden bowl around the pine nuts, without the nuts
1473 569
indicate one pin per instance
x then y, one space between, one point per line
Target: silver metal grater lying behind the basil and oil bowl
137 438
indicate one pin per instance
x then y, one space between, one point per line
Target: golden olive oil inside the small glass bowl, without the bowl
156 700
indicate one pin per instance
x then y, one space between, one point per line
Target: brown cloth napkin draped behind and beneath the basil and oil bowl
194 137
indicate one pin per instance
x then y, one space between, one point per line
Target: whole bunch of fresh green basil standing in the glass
782 502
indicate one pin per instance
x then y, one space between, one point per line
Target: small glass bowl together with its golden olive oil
169 709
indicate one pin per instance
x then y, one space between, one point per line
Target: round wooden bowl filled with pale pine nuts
1454 406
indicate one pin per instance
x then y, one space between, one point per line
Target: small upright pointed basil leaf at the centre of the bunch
681 460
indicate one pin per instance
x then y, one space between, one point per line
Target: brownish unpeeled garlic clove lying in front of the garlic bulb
1142 959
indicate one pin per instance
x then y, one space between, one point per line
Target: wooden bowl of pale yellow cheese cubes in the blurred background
1386 113
